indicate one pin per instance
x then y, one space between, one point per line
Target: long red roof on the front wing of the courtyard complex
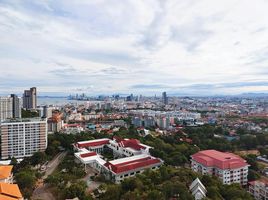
131 165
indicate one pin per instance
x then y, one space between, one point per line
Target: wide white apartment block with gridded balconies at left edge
23 137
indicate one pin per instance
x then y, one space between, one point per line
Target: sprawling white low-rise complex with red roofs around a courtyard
134 157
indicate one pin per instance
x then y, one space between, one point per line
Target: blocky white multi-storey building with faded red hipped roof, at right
229 167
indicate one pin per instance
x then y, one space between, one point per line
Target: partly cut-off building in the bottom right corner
259 189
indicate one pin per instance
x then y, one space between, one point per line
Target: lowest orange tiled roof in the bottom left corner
11 190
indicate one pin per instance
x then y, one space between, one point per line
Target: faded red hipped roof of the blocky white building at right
221 160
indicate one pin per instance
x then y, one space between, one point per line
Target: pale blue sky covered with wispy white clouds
199 47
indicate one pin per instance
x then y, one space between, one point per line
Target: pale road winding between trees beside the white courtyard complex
42 192
